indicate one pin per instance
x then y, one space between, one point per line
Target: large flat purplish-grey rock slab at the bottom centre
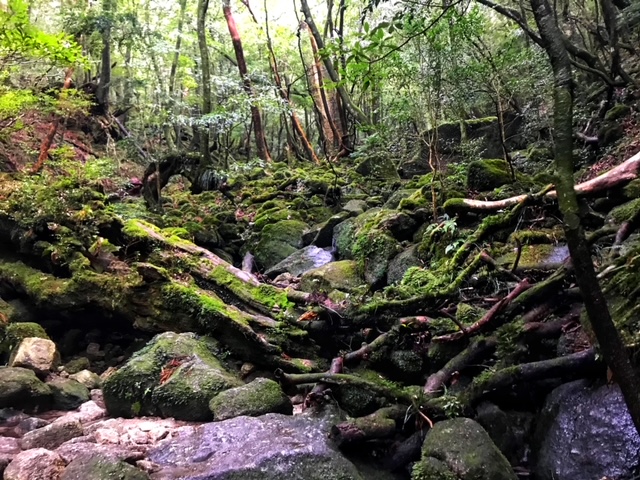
270 447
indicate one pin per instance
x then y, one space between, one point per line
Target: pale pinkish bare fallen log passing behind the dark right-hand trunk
623 173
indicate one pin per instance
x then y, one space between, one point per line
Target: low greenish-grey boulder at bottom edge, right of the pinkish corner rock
101 467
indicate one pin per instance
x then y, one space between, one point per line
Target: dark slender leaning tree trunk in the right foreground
612 347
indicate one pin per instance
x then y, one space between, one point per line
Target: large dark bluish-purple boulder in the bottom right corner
586 432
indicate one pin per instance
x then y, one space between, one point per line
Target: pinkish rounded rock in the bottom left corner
35 464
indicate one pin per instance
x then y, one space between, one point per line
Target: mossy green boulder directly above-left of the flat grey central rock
278 241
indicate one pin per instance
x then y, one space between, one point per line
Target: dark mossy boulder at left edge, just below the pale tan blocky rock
21 389
